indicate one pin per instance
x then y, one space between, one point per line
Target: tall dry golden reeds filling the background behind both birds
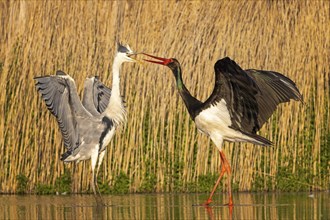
160 143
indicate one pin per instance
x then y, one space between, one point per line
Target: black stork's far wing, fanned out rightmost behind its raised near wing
274 88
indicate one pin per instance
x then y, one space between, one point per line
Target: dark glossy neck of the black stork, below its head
191 102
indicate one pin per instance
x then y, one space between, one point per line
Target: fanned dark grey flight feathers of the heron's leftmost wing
54 92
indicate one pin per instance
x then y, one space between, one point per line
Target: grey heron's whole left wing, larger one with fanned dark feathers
60 99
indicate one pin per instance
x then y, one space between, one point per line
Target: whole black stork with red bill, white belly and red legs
241 102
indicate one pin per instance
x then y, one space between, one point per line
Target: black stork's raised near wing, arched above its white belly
238 90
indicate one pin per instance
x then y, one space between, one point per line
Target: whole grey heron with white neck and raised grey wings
87 127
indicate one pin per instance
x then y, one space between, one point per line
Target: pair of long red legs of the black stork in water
225 168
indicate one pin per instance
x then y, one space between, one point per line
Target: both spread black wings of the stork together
251 96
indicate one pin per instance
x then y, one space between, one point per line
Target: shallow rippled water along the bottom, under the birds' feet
167 206
